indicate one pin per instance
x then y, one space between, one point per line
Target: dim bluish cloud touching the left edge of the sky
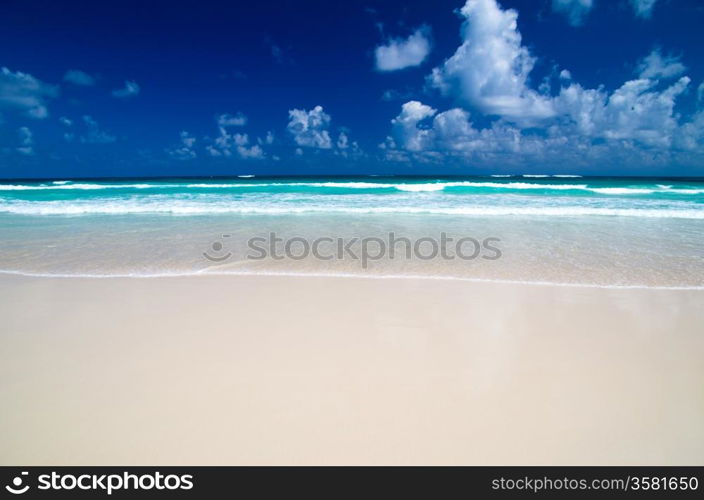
24 93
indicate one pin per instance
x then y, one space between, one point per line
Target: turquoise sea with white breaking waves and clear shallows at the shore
552 229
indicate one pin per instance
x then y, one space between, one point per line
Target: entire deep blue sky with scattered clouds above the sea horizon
312 87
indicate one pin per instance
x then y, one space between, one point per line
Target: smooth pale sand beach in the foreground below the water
308 370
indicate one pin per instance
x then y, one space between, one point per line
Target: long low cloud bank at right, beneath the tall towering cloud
590 125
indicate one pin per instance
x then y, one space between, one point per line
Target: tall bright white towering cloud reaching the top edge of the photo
489 71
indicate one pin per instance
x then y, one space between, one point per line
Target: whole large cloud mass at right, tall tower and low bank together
635 124
